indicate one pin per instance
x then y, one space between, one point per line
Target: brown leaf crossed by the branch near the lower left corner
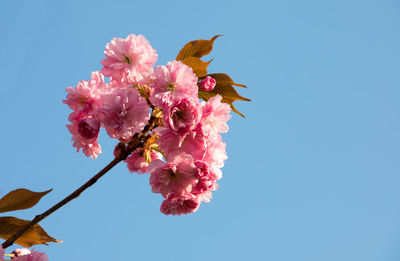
33 236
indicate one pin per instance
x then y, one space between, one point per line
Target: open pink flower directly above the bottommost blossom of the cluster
176 176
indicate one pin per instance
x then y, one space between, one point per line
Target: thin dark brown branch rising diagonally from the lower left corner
136 142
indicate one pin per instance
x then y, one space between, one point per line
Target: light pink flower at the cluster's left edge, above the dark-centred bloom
85 97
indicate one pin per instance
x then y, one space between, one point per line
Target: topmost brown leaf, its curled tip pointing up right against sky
197 48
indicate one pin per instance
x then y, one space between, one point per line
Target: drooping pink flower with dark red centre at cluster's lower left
85 133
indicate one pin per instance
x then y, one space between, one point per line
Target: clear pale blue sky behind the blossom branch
313 171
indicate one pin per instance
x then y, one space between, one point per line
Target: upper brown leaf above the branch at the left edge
20 199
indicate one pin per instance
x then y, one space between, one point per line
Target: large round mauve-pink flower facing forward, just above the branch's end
124 113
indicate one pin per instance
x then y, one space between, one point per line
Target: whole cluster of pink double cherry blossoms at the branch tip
183 150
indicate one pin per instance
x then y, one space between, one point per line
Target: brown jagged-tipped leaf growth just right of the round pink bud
224 88
